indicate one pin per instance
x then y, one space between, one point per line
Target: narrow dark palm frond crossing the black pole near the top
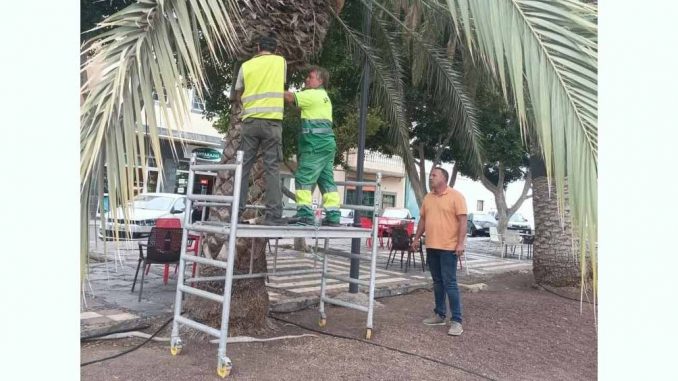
387 90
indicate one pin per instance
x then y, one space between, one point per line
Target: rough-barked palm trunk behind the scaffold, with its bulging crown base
300 27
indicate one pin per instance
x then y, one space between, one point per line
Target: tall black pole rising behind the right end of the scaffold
355 242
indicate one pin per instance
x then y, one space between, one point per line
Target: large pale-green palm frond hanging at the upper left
149 47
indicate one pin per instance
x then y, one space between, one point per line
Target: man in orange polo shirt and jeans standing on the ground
443 218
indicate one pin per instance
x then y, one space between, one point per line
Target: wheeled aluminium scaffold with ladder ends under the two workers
232 230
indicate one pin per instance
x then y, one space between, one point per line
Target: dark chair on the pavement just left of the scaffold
163 247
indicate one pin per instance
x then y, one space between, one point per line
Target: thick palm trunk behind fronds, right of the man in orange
555 262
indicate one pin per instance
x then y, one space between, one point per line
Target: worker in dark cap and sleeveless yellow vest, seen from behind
259 87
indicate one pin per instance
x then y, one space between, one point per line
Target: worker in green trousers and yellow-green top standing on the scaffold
316 149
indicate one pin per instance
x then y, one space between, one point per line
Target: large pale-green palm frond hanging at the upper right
550 49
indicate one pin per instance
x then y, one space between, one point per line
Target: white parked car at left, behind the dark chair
144 210
